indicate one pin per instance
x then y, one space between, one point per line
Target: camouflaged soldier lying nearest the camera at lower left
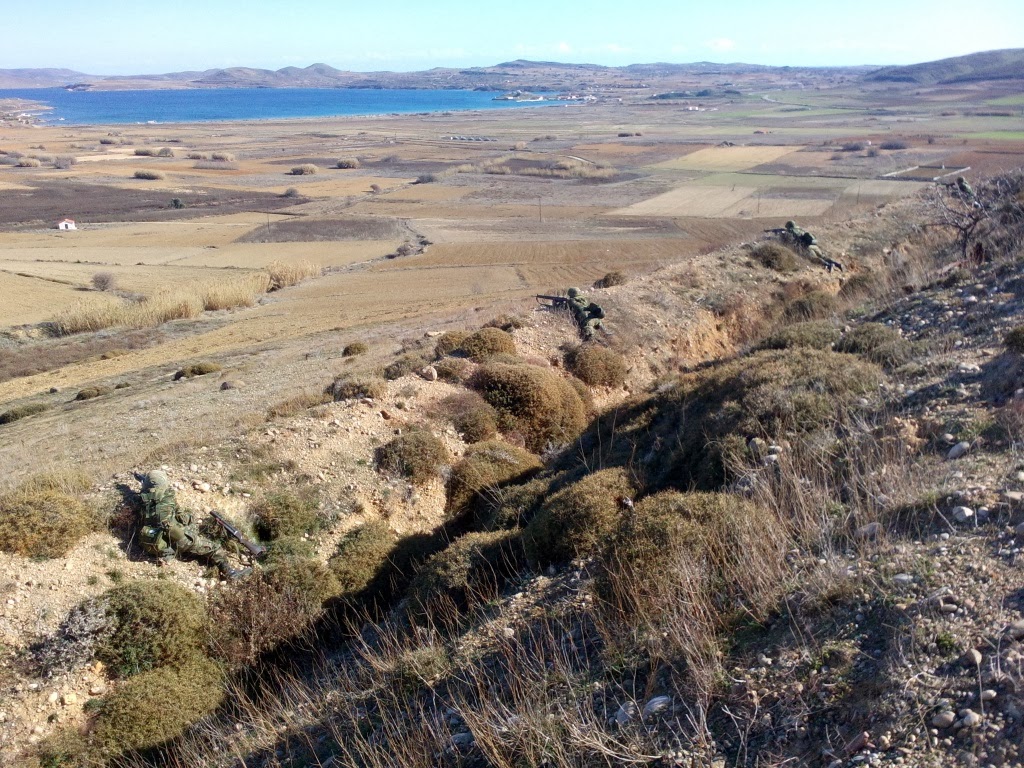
168 531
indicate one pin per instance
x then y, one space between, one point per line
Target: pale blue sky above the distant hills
108 37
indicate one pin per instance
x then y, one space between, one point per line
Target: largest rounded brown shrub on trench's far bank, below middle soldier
535 402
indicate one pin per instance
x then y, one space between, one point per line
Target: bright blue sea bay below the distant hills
101 108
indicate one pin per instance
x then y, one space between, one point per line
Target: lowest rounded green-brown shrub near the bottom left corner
156 707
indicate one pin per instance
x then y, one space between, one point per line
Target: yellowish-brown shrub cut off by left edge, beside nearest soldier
46 518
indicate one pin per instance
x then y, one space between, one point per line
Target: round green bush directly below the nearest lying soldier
151 625
